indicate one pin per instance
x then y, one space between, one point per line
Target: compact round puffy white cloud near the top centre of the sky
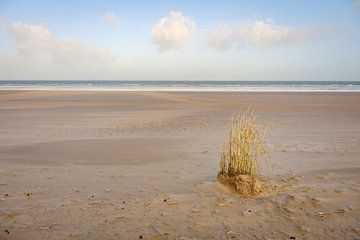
172 31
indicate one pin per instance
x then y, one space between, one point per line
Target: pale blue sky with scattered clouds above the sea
180 40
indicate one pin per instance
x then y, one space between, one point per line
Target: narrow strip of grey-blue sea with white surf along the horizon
190 86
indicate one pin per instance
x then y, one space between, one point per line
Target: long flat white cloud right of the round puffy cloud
257 34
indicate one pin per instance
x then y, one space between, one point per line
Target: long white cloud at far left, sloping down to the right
34 39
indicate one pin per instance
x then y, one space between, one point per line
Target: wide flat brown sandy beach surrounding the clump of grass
127 165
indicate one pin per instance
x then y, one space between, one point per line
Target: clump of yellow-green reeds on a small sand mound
239 158
